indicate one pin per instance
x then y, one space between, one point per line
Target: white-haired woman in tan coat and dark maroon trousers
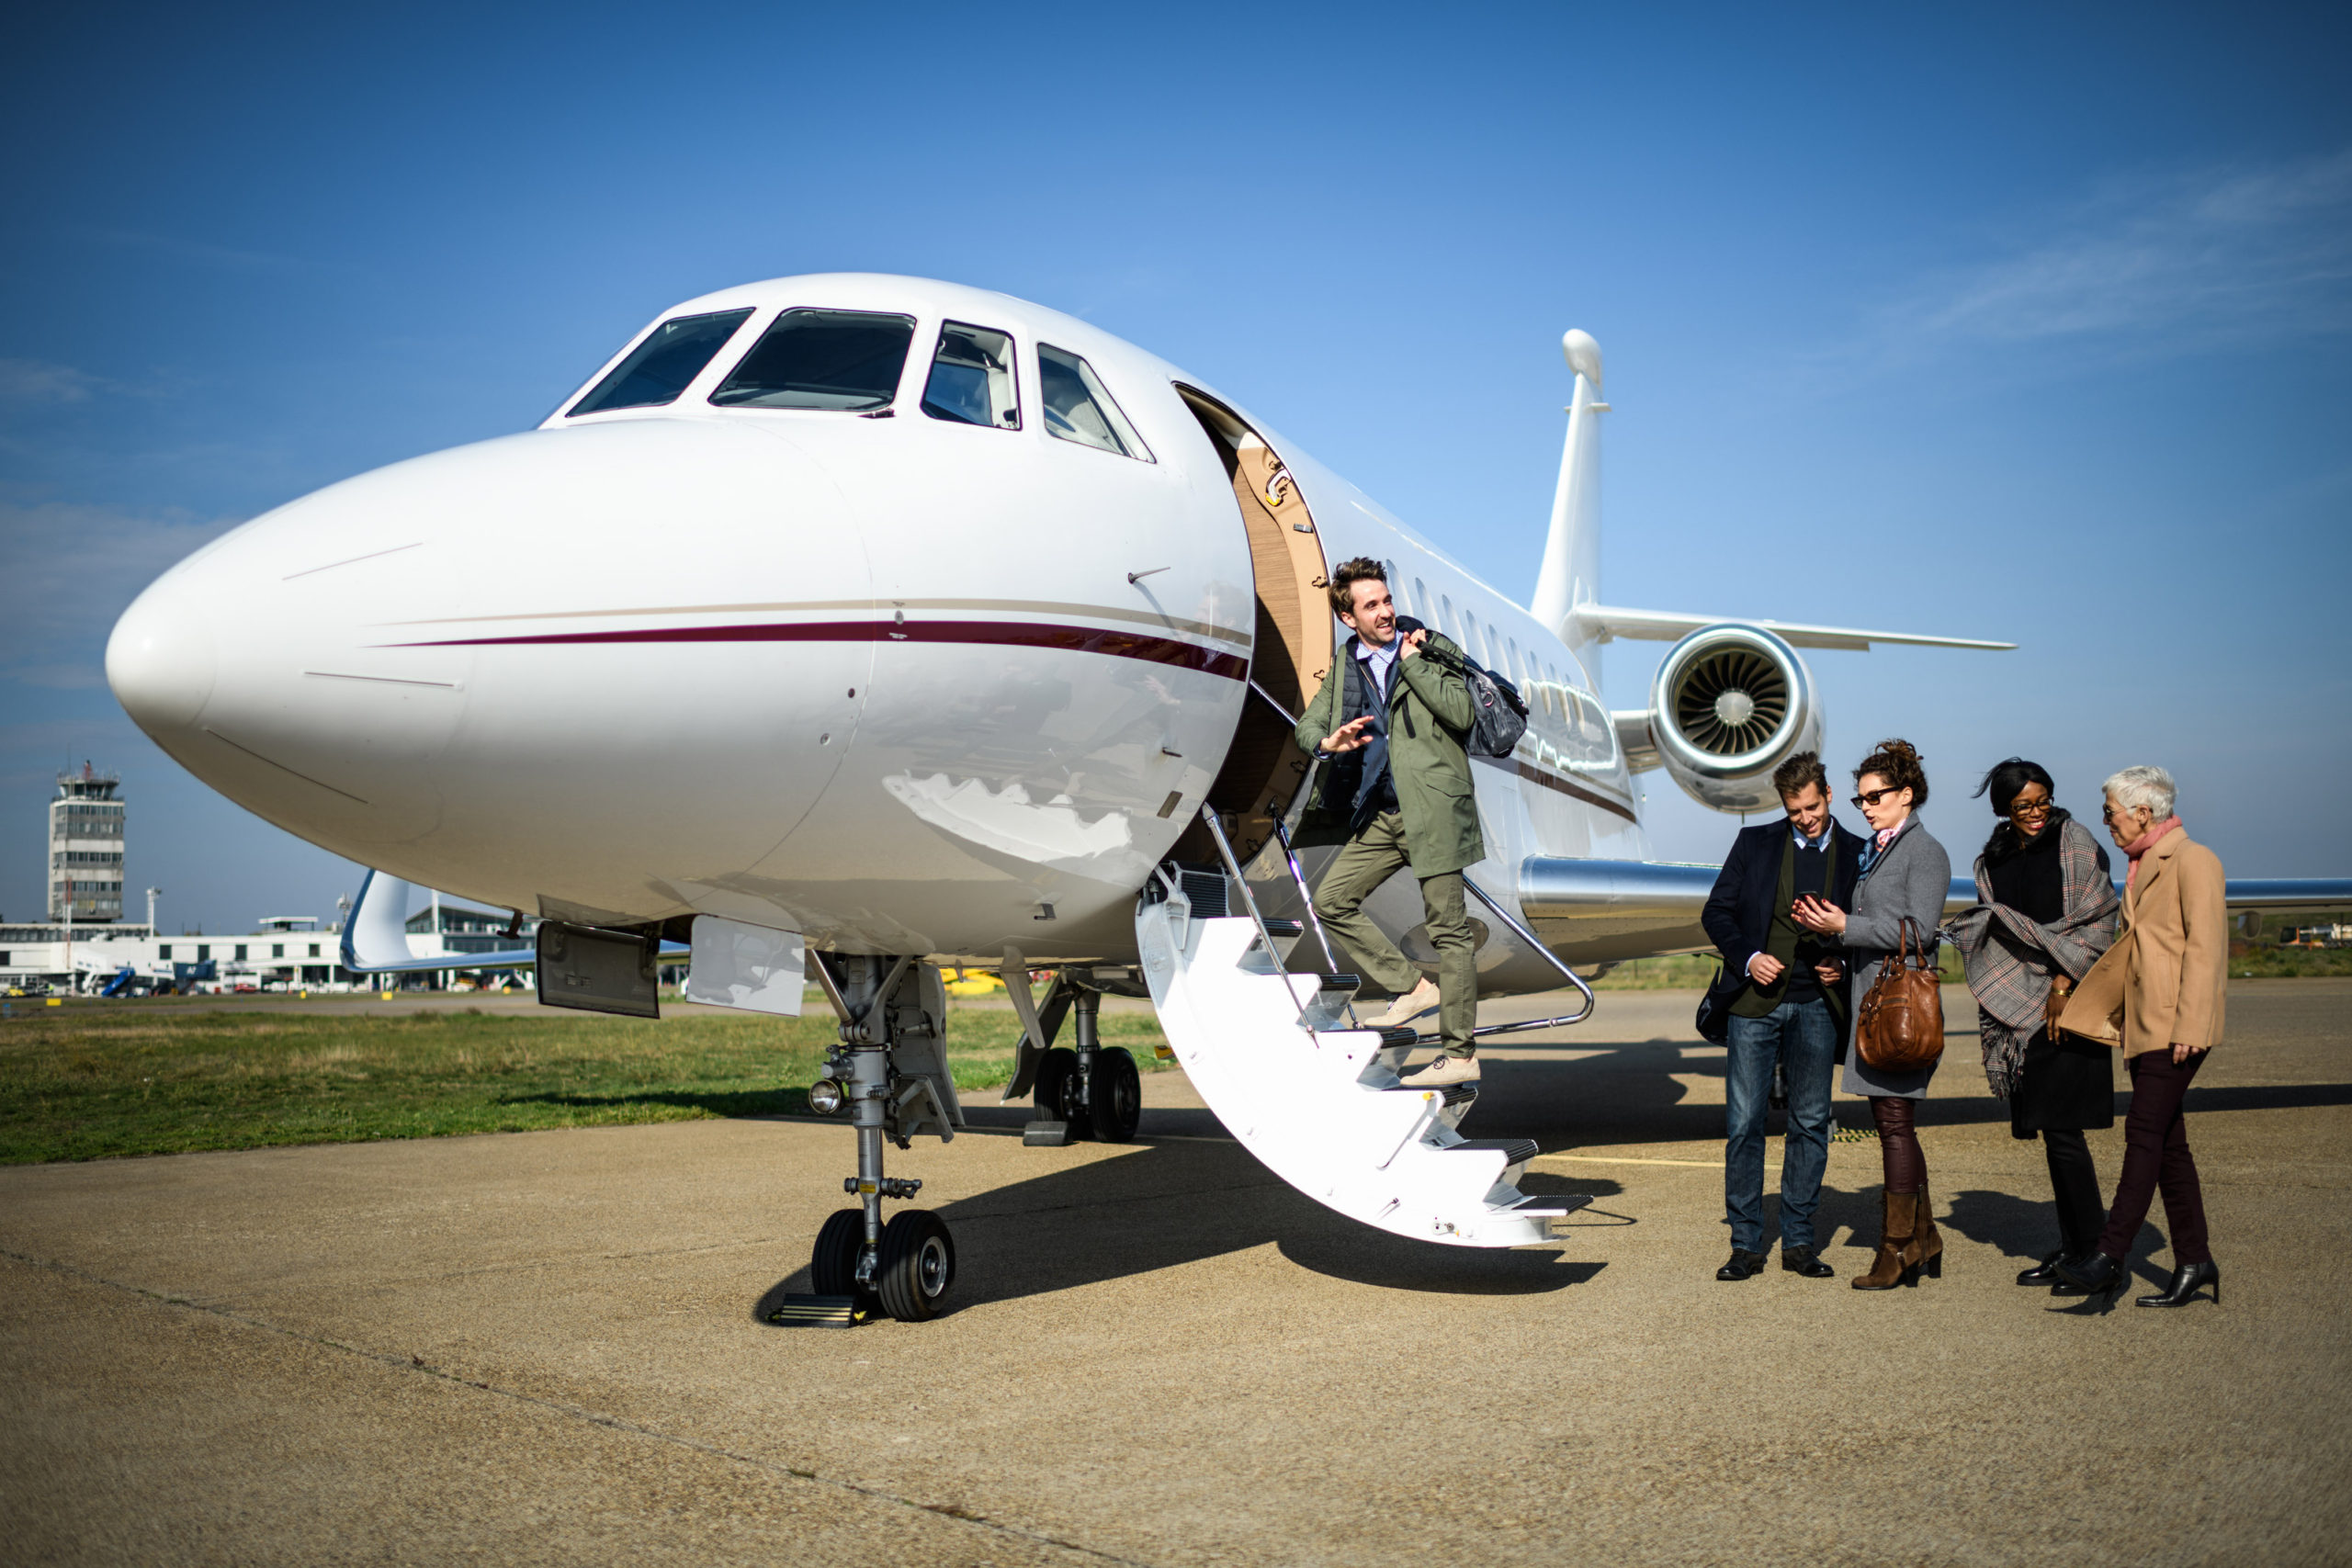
2158 996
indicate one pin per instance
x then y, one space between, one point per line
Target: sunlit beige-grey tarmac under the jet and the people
552 1348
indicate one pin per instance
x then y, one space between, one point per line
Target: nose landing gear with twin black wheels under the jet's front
893 1071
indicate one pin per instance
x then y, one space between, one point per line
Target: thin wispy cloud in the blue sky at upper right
2160 264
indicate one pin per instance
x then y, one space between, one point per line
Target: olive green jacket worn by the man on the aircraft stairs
1429 713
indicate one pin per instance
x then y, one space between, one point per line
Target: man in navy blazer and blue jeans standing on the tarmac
1791 1012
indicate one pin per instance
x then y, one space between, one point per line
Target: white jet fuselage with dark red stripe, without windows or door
902 685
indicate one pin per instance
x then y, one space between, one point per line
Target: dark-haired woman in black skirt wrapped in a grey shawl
2045 913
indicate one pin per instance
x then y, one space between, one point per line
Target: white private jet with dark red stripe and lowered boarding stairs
843 629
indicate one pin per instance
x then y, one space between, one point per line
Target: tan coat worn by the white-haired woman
2165 979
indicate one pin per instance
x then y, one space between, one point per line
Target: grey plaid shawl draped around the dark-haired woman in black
2010 958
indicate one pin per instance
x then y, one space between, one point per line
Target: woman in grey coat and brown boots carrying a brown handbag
1906 876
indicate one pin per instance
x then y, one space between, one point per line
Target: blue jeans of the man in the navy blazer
1803 1036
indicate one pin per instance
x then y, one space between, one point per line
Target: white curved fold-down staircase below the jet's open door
1316 1097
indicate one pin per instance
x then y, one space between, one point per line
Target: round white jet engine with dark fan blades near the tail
1730 706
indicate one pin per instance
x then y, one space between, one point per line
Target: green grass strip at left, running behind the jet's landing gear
93 1083
